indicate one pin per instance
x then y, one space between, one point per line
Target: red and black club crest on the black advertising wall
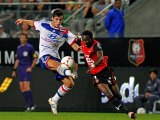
136 53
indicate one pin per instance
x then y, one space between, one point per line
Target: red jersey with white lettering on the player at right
91 57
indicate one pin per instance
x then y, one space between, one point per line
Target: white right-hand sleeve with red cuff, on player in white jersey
71 38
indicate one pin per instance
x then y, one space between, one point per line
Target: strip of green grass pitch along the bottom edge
72 116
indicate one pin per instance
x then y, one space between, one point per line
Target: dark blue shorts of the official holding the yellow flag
22 74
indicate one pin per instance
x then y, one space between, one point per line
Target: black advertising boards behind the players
84 96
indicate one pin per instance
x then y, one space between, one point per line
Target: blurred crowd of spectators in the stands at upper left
80 21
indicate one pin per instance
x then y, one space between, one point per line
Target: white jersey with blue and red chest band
52 38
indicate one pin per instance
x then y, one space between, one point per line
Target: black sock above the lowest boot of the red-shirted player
118 105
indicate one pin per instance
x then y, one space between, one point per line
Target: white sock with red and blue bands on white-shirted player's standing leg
61 92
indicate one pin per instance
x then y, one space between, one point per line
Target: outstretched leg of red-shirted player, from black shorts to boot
105 82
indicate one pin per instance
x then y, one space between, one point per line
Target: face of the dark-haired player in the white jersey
57 21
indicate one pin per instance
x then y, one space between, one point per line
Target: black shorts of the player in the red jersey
105 76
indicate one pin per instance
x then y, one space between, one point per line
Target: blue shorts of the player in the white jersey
43 63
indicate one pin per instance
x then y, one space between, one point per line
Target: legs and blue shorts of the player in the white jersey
52 63
